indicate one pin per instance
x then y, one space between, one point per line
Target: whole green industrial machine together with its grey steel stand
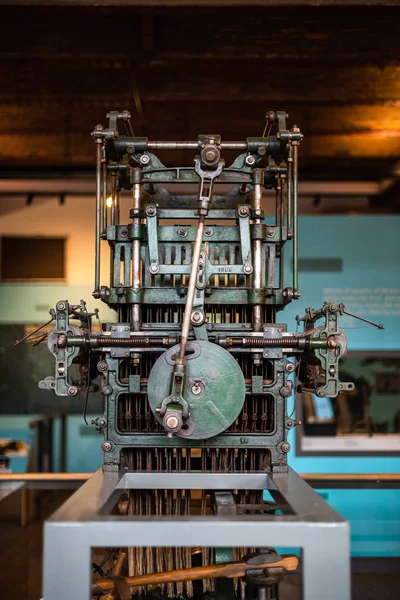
196 370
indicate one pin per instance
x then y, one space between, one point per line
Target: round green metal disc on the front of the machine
214 388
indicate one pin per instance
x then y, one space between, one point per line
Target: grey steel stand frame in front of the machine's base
80 525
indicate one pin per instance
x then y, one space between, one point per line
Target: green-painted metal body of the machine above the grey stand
150 265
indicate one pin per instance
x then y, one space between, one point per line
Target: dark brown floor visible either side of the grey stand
21 558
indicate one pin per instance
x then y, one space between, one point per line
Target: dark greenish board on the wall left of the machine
22 367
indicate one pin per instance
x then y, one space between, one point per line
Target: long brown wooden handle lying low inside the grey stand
233 569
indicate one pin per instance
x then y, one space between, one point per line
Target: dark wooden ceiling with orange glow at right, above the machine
335 70
